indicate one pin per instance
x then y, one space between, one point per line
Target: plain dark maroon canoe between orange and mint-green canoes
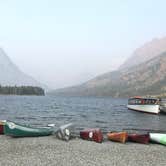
139 138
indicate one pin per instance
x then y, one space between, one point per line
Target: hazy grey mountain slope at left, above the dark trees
11 75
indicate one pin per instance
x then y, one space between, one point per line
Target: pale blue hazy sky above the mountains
66 42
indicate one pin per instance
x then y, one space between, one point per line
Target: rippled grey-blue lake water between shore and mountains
105 113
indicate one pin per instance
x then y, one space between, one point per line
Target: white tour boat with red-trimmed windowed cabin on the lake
144 104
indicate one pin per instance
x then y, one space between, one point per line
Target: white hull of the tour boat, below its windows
153 109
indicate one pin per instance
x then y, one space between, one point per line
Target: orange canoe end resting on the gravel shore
118 136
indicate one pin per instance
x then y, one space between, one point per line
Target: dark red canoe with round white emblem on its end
92 135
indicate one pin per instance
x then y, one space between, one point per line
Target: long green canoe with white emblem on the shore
17 130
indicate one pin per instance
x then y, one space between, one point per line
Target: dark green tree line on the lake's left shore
21 90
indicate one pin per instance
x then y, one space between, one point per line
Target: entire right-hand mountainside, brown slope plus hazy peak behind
144 77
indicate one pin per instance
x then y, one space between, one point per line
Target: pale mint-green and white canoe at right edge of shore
158 137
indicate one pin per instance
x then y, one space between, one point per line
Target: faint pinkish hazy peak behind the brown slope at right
146 52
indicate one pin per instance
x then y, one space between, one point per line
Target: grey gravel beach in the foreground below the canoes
51 152
